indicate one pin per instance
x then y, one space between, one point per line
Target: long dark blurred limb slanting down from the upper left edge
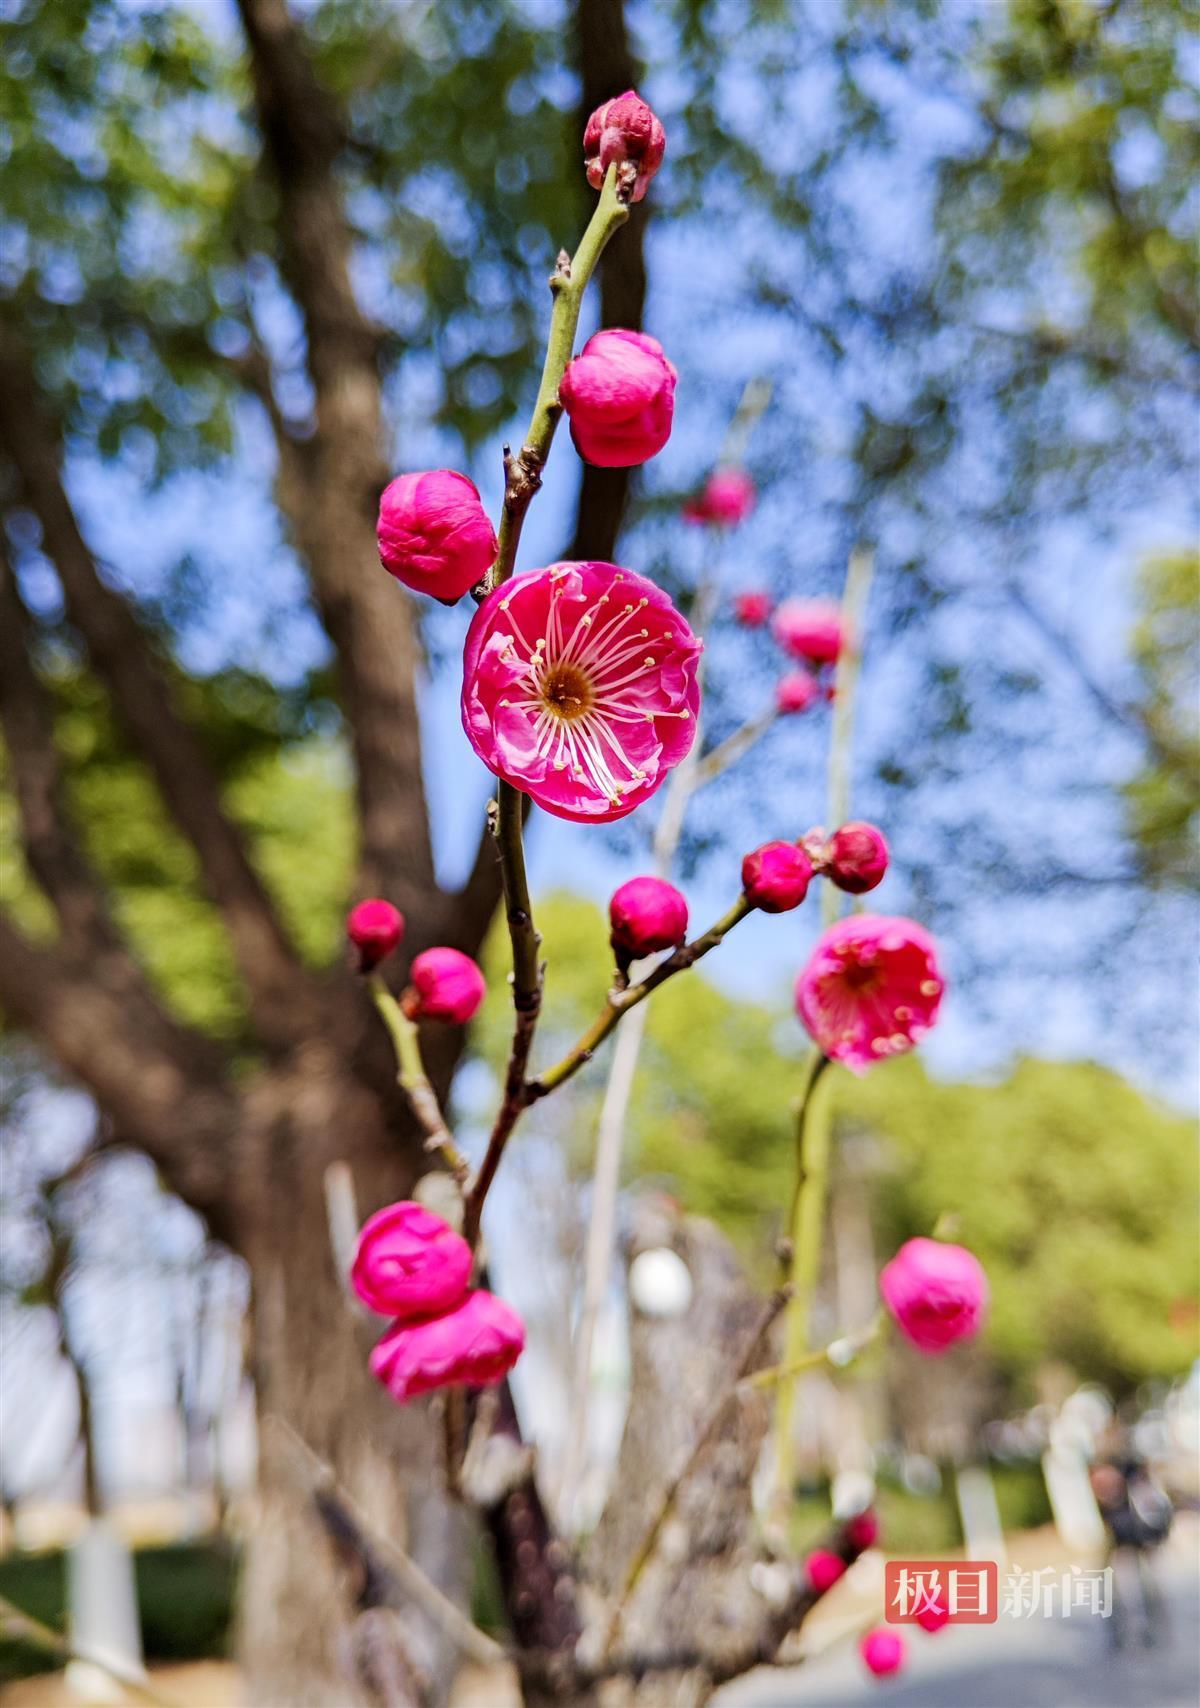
122 655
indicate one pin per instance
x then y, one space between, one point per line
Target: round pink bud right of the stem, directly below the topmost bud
620 399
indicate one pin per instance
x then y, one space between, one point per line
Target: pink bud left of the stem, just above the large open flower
434 534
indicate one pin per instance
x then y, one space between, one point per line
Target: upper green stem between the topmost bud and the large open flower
569 283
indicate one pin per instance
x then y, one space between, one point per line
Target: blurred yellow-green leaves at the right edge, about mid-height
1163 800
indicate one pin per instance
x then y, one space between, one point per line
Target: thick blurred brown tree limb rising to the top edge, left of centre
364 612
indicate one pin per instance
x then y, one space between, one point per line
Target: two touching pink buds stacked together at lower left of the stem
416 1268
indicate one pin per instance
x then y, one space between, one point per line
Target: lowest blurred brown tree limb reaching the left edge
163 1089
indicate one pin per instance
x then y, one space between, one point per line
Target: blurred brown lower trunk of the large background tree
310 1625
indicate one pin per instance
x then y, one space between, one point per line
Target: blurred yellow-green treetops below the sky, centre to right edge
1078 1193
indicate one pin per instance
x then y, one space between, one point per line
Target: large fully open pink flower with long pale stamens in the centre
581 689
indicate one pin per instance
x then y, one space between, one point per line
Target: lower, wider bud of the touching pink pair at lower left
475 1345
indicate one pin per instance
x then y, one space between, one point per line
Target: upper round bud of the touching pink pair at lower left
409 1263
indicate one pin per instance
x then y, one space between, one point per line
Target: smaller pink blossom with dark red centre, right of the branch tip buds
870 990
